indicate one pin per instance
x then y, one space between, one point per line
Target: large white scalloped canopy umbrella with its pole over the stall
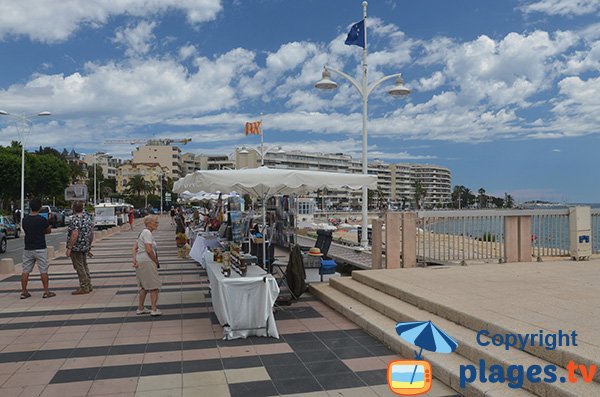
265 182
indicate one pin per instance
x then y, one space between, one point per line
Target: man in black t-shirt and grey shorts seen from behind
36 227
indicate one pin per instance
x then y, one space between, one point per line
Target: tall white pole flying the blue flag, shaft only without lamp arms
365 86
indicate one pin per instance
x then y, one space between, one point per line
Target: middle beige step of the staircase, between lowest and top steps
401 311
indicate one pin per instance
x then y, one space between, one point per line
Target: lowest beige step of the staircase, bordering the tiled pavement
446 367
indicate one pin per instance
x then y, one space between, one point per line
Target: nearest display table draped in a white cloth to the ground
243 305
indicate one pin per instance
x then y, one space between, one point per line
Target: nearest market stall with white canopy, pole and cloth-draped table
243 296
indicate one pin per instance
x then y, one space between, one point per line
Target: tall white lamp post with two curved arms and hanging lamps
364 89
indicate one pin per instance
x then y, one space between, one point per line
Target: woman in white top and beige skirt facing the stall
145 261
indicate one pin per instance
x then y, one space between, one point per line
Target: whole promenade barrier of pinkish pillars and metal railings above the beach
484 236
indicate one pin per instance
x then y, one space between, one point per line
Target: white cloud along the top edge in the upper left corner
57 22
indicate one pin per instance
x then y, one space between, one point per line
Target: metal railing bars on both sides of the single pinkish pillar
455 236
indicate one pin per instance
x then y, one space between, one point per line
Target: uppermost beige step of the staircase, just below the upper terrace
474 316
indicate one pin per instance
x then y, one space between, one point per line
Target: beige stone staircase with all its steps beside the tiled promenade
376 302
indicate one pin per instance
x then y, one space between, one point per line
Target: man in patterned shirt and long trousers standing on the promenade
80 235
